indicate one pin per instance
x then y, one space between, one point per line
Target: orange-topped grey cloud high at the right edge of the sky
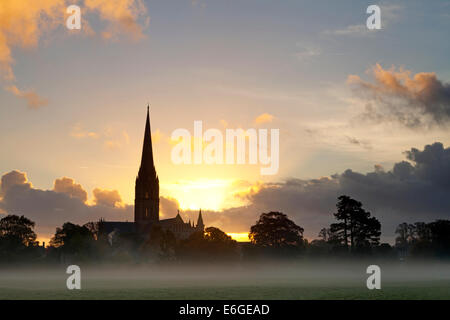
420 100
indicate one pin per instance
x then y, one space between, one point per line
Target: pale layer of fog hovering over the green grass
267 274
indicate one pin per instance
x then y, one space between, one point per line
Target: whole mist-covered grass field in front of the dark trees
313 281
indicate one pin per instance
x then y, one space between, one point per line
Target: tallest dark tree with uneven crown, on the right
356 227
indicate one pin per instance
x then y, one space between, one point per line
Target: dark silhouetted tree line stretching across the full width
354 233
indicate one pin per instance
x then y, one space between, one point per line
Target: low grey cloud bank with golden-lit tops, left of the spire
49 208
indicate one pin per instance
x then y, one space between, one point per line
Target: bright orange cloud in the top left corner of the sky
23 23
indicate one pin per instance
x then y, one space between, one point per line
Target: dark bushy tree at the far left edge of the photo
17 231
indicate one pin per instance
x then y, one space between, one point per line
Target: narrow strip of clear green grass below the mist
436 290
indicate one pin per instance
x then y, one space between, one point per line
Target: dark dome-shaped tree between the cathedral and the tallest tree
275 229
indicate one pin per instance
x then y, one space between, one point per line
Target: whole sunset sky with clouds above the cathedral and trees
362 112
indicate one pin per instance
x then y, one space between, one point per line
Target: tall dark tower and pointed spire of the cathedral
146 202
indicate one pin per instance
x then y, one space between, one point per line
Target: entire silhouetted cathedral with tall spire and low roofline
146 202
